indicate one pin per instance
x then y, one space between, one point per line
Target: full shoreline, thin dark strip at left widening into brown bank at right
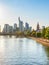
42 41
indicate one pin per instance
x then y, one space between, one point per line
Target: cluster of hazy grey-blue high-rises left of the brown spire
12 29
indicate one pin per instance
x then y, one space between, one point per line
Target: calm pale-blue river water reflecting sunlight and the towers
22 51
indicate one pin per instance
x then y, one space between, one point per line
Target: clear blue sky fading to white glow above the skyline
31 11
